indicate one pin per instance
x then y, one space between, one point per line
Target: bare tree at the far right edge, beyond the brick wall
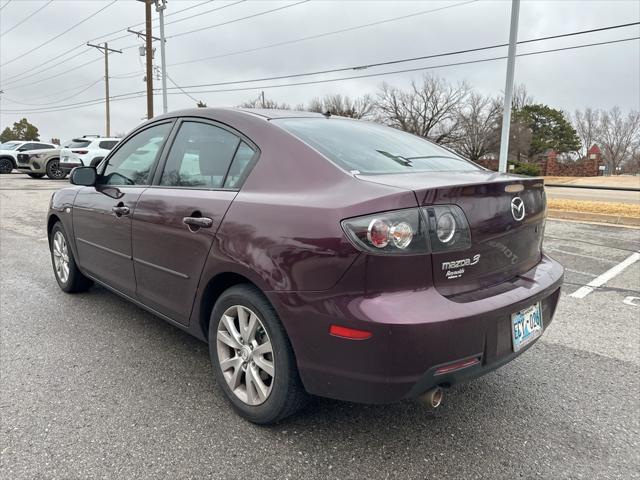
618 136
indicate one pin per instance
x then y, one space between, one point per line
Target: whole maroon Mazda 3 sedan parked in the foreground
315 254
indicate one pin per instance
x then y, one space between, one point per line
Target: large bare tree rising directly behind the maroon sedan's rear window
429 109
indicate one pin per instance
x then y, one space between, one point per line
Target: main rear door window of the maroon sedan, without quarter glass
200 156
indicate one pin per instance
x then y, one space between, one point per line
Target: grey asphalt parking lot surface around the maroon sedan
94 387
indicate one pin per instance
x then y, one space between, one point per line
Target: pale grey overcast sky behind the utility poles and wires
599 77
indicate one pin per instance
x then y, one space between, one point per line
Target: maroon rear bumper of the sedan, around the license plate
414 334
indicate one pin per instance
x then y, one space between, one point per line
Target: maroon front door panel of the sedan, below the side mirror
103 238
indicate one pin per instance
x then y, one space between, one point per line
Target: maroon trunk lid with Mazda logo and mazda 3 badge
502 245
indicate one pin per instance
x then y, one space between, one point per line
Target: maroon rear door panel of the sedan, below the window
168 254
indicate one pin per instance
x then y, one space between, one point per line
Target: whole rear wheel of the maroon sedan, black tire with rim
286 395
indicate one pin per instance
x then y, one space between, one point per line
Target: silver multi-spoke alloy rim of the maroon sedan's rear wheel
245 355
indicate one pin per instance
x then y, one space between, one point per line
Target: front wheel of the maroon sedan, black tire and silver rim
69 277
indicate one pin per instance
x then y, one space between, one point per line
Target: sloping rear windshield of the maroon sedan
370 148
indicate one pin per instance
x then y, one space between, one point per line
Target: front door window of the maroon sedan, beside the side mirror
131 164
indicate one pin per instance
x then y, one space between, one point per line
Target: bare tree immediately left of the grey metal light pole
479 127
